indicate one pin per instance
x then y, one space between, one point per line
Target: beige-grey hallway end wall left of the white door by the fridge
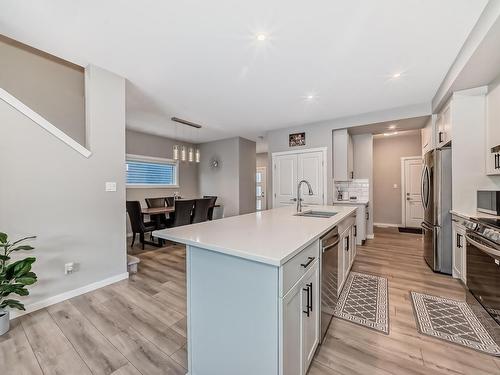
387 154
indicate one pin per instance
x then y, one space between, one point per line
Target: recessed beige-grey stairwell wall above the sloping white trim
52 87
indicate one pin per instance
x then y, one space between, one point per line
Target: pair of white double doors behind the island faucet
289 169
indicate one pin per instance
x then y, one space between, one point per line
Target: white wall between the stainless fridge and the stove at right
469 151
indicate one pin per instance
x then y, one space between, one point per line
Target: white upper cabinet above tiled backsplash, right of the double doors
343 156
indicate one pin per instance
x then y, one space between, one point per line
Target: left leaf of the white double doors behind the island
284 179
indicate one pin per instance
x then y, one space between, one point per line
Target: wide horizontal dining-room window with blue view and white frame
148 172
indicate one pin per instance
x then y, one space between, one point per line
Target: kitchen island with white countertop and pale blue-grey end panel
253 289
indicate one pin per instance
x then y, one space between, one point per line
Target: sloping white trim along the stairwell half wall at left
39 120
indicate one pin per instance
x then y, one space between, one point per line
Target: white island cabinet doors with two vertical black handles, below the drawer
301 323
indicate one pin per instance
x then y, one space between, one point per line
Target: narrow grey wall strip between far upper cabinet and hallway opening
363 167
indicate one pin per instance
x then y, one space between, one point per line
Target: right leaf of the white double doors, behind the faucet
310 168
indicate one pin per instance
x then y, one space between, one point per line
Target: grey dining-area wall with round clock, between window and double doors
224 181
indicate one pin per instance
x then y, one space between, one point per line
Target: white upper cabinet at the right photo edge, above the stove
493 130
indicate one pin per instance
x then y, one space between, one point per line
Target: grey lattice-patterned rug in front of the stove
453 321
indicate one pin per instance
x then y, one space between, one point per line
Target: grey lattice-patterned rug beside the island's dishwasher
364 301
